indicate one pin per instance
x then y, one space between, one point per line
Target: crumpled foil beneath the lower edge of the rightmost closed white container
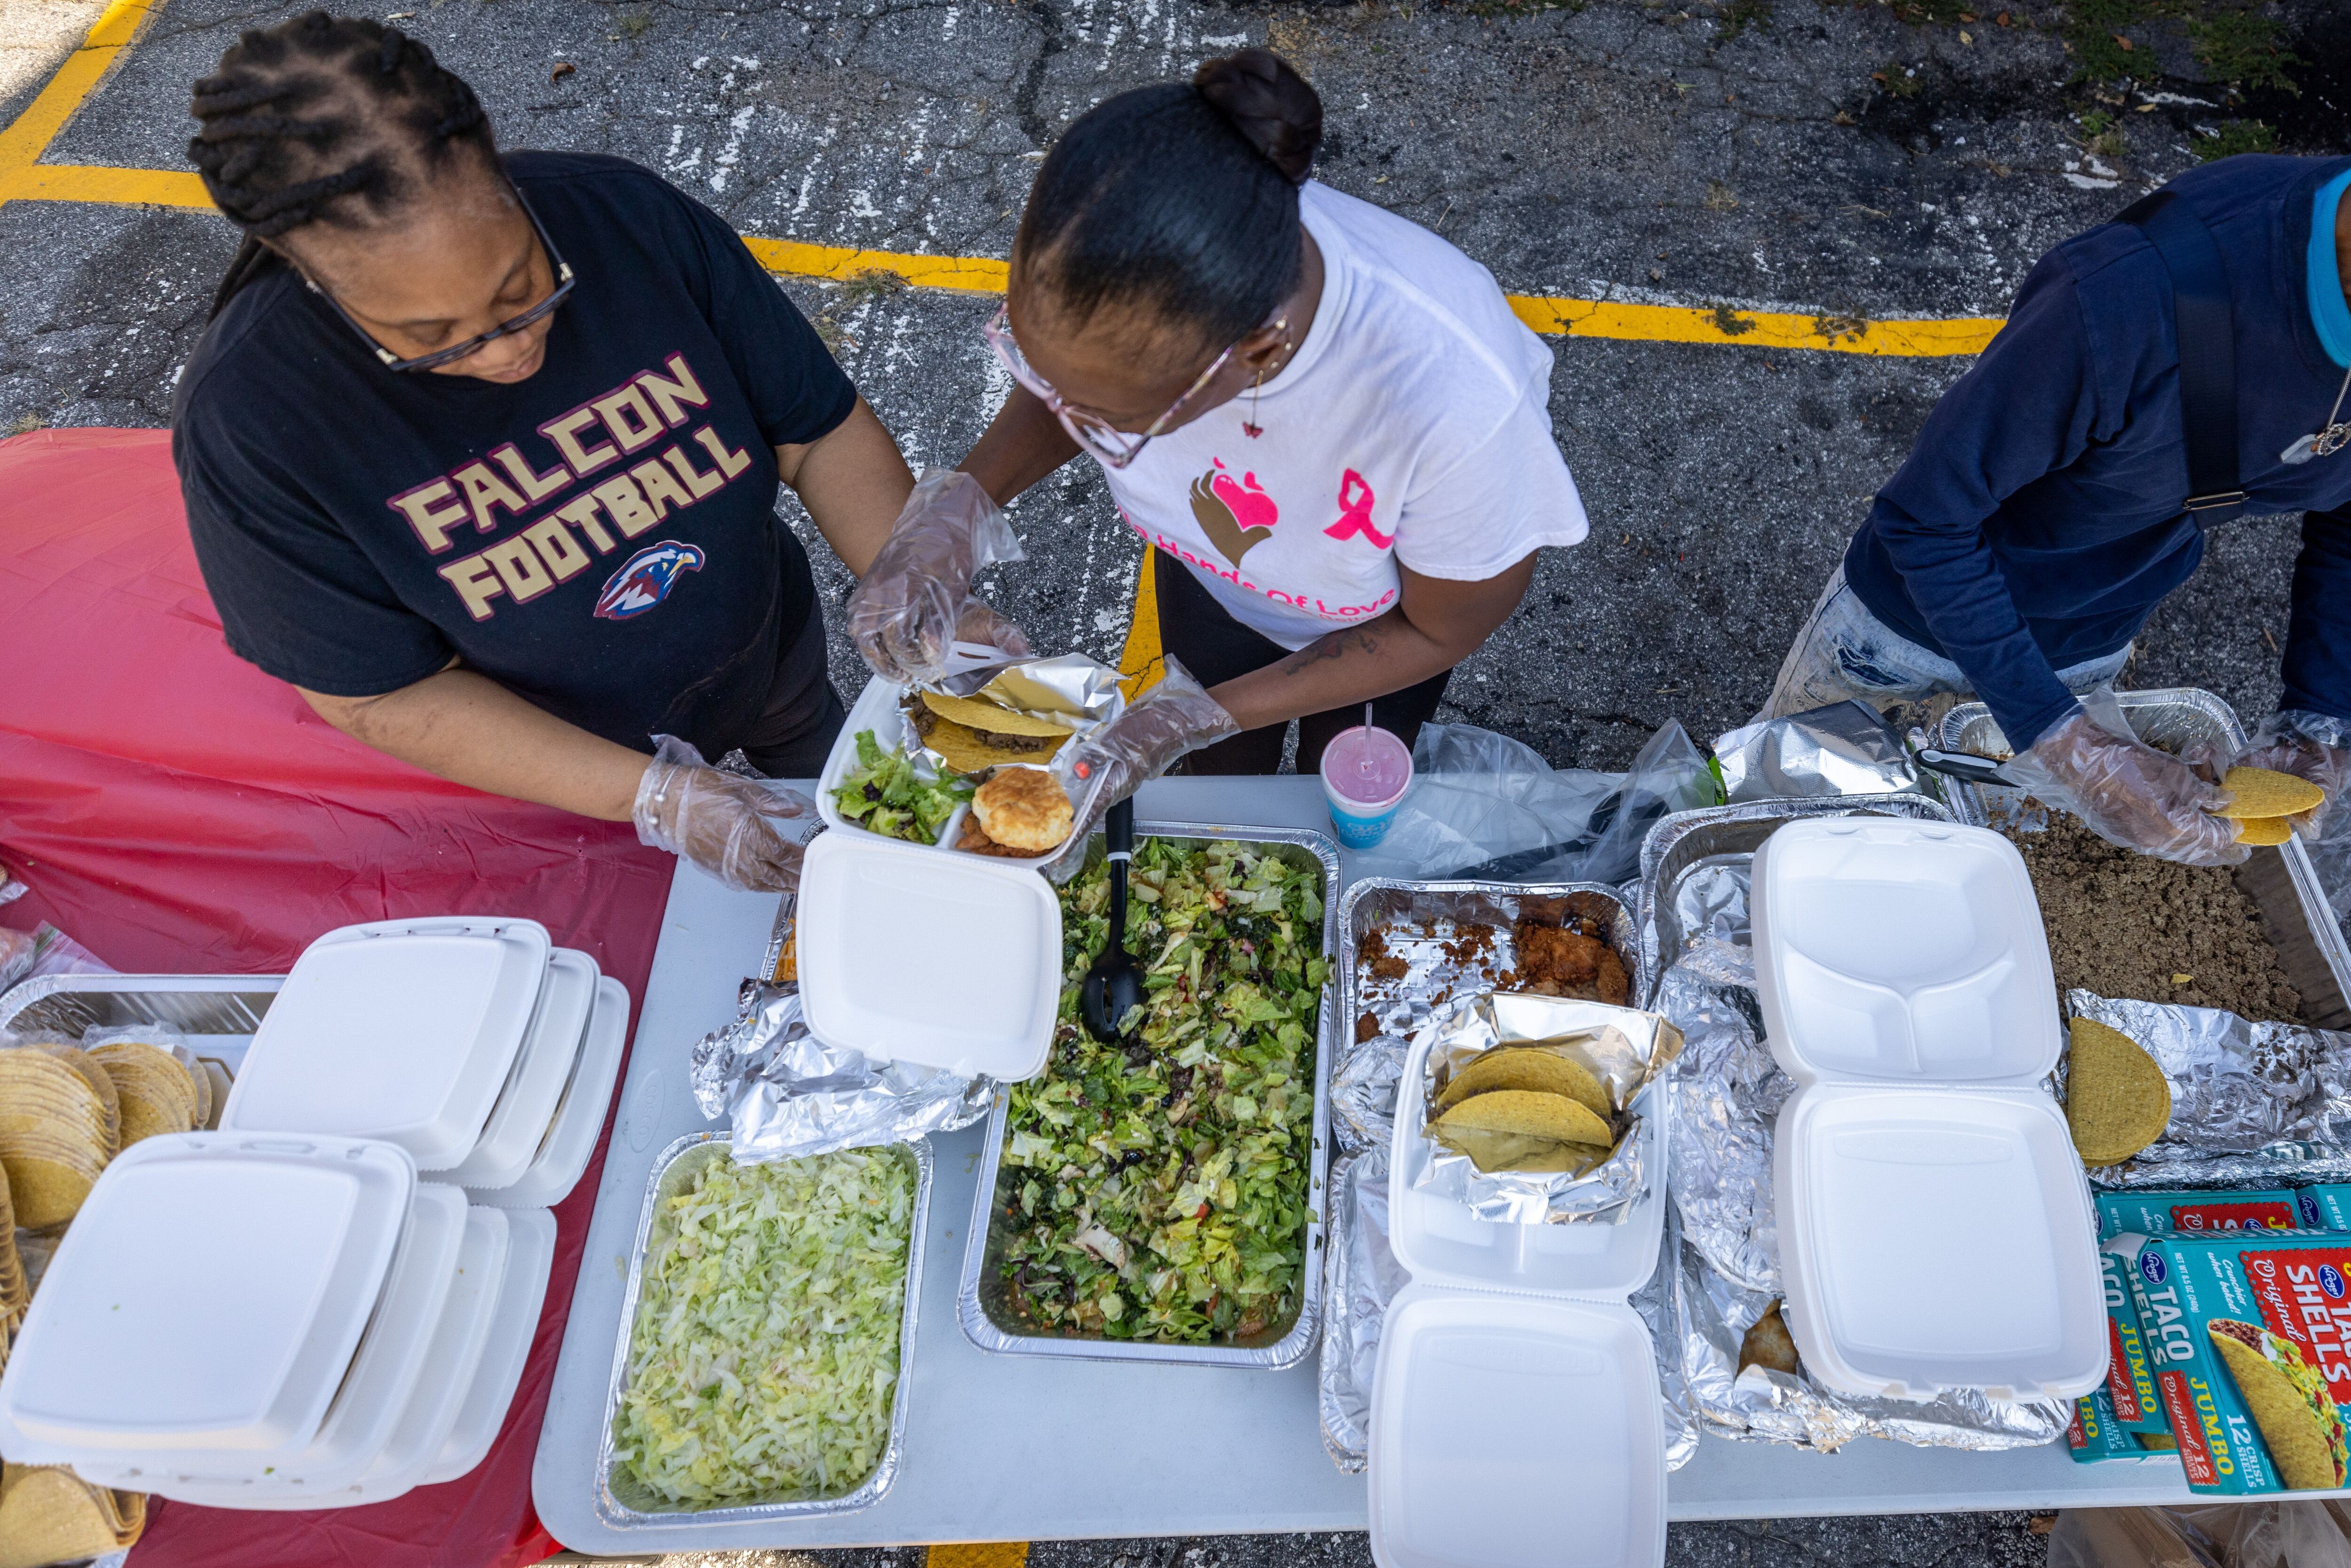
1760 1405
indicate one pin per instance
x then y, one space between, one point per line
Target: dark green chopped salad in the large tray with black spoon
1160 1191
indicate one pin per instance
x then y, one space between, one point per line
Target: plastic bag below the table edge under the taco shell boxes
2279 1534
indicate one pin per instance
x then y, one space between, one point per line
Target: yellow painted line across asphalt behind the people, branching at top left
27 180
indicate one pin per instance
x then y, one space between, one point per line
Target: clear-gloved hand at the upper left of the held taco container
916 601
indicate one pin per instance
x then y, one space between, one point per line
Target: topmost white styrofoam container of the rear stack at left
401 1031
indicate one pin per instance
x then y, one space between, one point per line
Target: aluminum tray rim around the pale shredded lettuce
619 1501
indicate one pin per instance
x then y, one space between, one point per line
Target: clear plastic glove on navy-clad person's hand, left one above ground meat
2129 793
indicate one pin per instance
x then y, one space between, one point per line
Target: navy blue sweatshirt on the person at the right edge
2042 516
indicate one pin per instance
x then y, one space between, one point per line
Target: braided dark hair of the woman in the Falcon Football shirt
326 121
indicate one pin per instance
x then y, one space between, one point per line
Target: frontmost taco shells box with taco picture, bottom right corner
2246 1336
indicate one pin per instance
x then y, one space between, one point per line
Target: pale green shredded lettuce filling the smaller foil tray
765 1353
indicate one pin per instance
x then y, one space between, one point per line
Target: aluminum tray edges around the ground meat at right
2282 883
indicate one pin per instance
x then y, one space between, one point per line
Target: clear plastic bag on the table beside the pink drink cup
1489 810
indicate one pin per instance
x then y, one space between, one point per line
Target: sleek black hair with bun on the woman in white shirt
1181 199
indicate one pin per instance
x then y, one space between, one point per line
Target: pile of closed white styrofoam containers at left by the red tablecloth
304 1311
